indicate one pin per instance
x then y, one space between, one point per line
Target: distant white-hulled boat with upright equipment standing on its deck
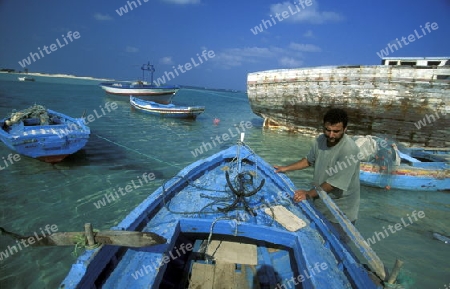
146 90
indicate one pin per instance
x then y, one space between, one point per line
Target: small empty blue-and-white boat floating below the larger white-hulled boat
166 110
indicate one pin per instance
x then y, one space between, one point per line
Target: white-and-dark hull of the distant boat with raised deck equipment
160 94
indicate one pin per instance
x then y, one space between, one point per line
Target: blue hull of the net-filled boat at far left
48 143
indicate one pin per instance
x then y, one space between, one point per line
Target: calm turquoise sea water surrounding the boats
126 144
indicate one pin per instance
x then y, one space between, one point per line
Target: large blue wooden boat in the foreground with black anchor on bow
229 222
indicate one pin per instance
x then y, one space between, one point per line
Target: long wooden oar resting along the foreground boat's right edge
370 255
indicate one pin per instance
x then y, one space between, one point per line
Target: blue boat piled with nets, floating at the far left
43 134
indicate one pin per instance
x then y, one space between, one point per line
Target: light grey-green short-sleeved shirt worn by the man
339 167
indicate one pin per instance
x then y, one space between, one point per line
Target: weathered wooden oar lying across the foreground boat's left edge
114 238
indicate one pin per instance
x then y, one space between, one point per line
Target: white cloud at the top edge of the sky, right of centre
309 14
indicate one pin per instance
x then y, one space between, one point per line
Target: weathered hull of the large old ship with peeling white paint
407 103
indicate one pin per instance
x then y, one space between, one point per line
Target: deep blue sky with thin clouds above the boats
170 33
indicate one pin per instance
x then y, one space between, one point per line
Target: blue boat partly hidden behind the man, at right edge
384 165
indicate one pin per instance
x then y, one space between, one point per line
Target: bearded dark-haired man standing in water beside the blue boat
336 169
